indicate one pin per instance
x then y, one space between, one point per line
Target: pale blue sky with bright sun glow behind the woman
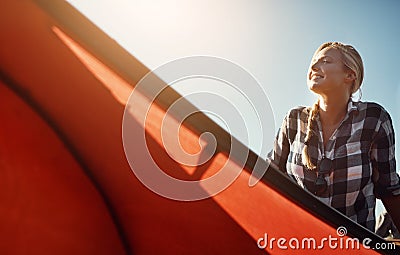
272 40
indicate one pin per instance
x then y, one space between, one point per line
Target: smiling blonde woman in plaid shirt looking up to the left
340 150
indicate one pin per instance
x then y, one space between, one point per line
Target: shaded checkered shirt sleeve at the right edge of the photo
383 158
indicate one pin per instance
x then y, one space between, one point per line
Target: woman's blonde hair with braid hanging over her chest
352 61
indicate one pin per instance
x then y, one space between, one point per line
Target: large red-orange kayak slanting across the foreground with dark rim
66 185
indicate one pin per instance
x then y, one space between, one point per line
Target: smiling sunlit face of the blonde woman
327 74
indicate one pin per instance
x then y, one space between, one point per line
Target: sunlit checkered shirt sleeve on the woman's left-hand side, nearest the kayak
279 154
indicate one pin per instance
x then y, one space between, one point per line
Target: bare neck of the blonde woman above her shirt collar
332 110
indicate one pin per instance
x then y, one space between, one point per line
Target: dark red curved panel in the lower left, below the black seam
48 205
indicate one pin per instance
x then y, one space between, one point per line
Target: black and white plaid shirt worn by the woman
362 150
